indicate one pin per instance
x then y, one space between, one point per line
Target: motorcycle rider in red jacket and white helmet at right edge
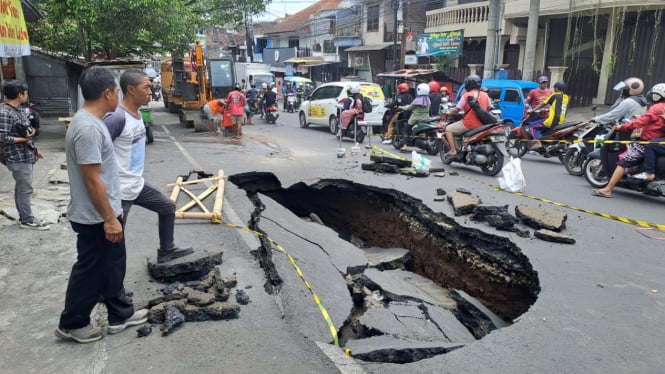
652 123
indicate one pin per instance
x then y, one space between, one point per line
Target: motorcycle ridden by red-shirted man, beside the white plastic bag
484 146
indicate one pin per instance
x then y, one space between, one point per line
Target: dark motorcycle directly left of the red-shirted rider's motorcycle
424 135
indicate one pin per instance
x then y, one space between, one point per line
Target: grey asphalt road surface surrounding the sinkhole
600 309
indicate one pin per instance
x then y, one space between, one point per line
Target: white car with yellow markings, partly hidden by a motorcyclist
320 107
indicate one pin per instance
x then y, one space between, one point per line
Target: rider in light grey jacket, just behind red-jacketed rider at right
631 102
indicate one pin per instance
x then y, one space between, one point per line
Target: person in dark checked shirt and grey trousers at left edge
18 151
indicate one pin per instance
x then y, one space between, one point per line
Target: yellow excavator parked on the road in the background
188 84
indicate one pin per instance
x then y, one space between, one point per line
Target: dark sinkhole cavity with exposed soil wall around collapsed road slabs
489 268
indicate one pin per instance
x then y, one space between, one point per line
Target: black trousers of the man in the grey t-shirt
97 275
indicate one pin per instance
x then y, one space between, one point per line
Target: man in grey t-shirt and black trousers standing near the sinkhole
95 213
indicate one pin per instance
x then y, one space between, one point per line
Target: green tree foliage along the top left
119 28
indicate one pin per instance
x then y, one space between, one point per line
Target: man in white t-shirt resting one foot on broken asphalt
128 133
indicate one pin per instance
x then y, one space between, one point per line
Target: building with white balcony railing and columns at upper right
600 42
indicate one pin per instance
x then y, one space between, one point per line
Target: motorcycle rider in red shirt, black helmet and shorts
470 121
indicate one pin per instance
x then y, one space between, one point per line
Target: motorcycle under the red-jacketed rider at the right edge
599 166
